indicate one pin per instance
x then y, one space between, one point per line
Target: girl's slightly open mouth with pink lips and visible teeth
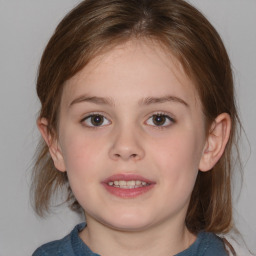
127 185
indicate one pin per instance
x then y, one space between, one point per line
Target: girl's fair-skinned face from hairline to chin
131 115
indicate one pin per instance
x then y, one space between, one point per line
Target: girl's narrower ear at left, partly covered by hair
54 148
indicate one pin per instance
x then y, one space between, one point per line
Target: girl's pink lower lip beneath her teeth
127 193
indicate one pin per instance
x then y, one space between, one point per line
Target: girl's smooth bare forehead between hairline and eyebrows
140 65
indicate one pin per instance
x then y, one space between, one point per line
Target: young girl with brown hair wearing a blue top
138 119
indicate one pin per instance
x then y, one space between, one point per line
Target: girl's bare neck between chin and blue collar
161 240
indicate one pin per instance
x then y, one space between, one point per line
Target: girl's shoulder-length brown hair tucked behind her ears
95 26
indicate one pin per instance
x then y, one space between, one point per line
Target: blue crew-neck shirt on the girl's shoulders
206 244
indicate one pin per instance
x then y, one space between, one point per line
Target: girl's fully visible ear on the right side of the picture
215 142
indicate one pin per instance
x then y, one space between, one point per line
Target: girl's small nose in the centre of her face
126 145
